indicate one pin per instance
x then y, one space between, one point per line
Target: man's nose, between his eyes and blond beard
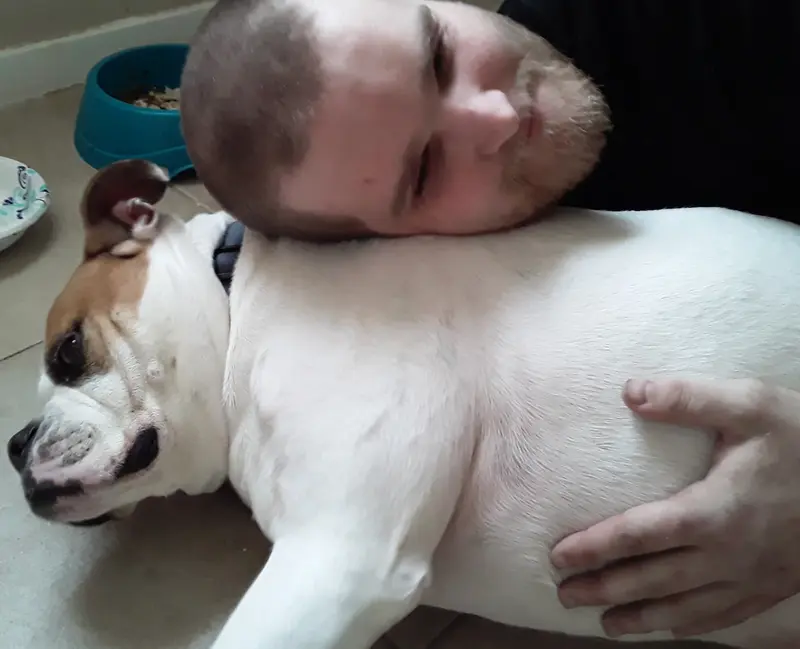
484 122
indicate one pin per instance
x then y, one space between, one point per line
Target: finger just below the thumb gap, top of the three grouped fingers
647 529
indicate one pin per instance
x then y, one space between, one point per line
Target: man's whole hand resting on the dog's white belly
722 550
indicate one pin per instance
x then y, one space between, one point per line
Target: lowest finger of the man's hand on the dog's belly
675 611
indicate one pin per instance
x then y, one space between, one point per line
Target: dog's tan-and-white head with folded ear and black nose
134 360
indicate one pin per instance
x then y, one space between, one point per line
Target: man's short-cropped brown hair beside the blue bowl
249 87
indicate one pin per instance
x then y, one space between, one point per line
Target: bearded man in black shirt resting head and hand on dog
396 117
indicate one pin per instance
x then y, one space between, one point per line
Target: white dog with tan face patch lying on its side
410 421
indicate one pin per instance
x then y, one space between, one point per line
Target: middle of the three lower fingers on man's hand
651 577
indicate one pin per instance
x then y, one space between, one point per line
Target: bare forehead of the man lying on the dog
373 57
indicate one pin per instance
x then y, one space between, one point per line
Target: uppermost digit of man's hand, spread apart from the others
730 406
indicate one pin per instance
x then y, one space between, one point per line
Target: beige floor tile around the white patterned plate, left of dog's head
39 133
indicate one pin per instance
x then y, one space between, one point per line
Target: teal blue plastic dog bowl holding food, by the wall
109 128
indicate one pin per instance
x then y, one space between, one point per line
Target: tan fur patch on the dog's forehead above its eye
99 289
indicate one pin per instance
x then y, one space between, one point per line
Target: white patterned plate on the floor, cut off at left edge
24 198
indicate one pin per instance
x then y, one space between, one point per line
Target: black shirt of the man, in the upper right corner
704 97
